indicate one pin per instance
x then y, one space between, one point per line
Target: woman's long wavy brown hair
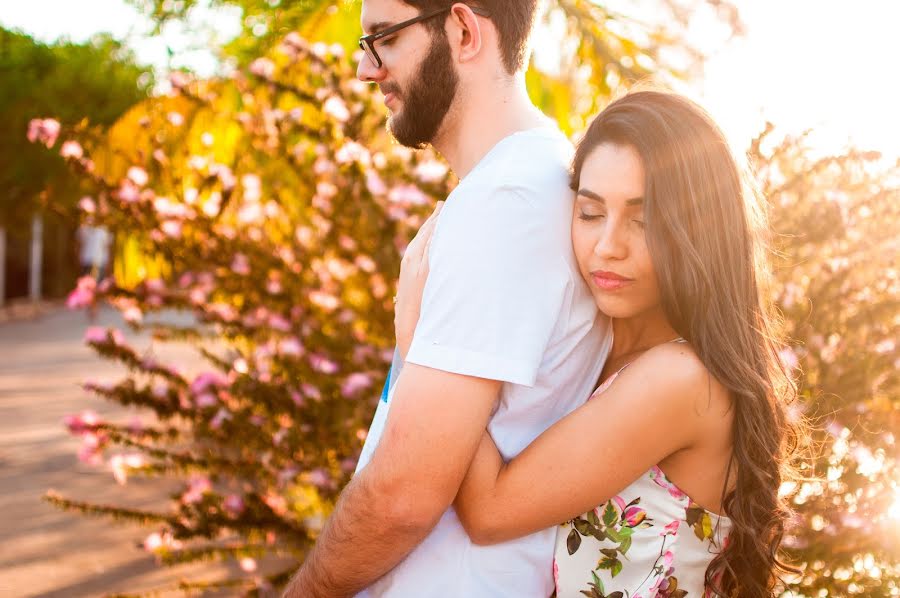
704 231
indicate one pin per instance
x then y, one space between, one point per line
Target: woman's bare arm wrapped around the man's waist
648 413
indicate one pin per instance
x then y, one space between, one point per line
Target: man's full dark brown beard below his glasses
428 98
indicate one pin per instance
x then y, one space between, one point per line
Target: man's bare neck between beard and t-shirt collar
480 120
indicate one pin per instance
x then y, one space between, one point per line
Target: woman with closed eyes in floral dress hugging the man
683 445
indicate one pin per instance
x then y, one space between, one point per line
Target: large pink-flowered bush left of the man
281 233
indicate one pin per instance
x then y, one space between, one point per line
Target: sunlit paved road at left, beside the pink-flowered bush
43 551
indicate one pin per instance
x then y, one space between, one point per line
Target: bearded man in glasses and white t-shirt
506 337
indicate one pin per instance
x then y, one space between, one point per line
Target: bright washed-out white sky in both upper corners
828 65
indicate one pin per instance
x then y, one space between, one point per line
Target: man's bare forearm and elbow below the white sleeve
434 427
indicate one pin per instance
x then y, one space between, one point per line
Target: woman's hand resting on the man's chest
413 274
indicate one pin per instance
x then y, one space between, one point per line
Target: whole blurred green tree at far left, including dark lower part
94 82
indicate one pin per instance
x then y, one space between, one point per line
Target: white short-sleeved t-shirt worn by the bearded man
504 300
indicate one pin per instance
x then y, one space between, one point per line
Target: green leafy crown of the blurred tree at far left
97 81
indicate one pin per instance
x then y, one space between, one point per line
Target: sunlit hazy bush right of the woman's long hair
836 219
